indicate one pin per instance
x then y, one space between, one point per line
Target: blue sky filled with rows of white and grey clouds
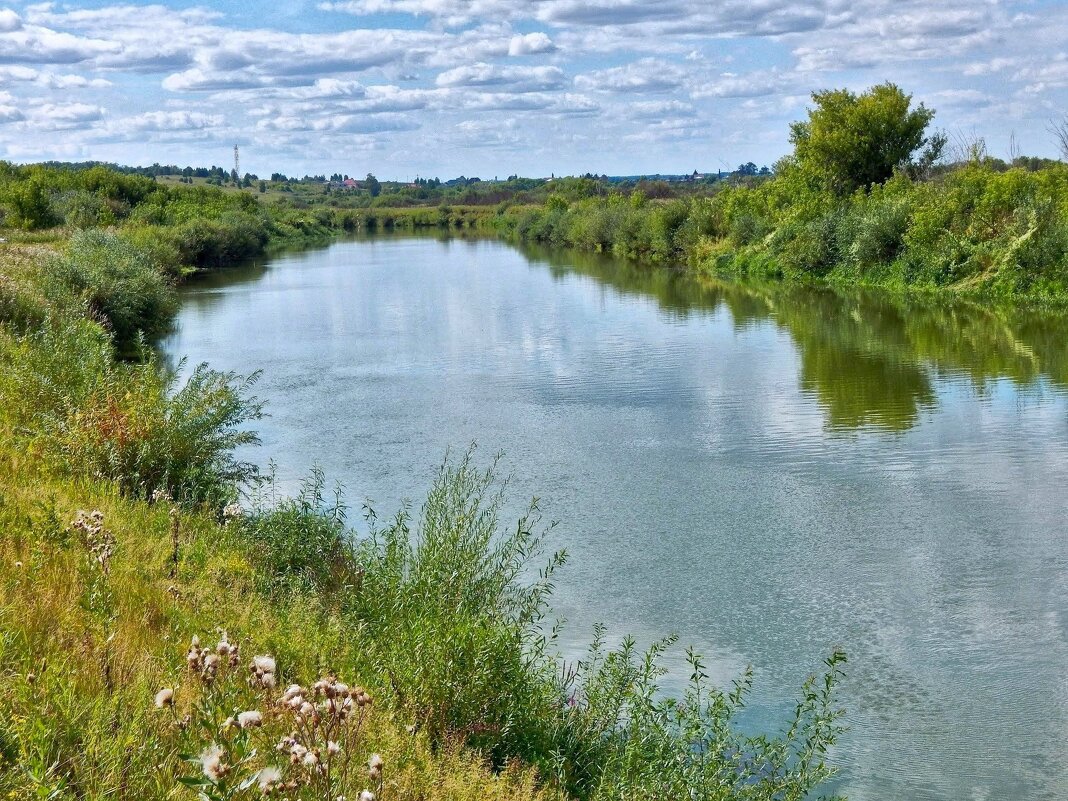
491 88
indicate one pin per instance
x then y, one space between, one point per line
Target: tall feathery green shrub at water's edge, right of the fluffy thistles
451 622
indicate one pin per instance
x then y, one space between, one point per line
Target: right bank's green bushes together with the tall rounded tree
866 198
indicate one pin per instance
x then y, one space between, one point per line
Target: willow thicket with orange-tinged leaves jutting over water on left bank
65 394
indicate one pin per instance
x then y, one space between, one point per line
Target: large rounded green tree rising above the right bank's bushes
852 142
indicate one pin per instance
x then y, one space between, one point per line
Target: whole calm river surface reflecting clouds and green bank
767 472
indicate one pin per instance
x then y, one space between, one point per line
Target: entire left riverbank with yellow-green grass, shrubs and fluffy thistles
160 641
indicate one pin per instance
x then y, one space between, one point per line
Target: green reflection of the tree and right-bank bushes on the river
870 358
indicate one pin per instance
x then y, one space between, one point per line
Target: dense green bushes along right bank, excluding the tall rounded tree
973 230
